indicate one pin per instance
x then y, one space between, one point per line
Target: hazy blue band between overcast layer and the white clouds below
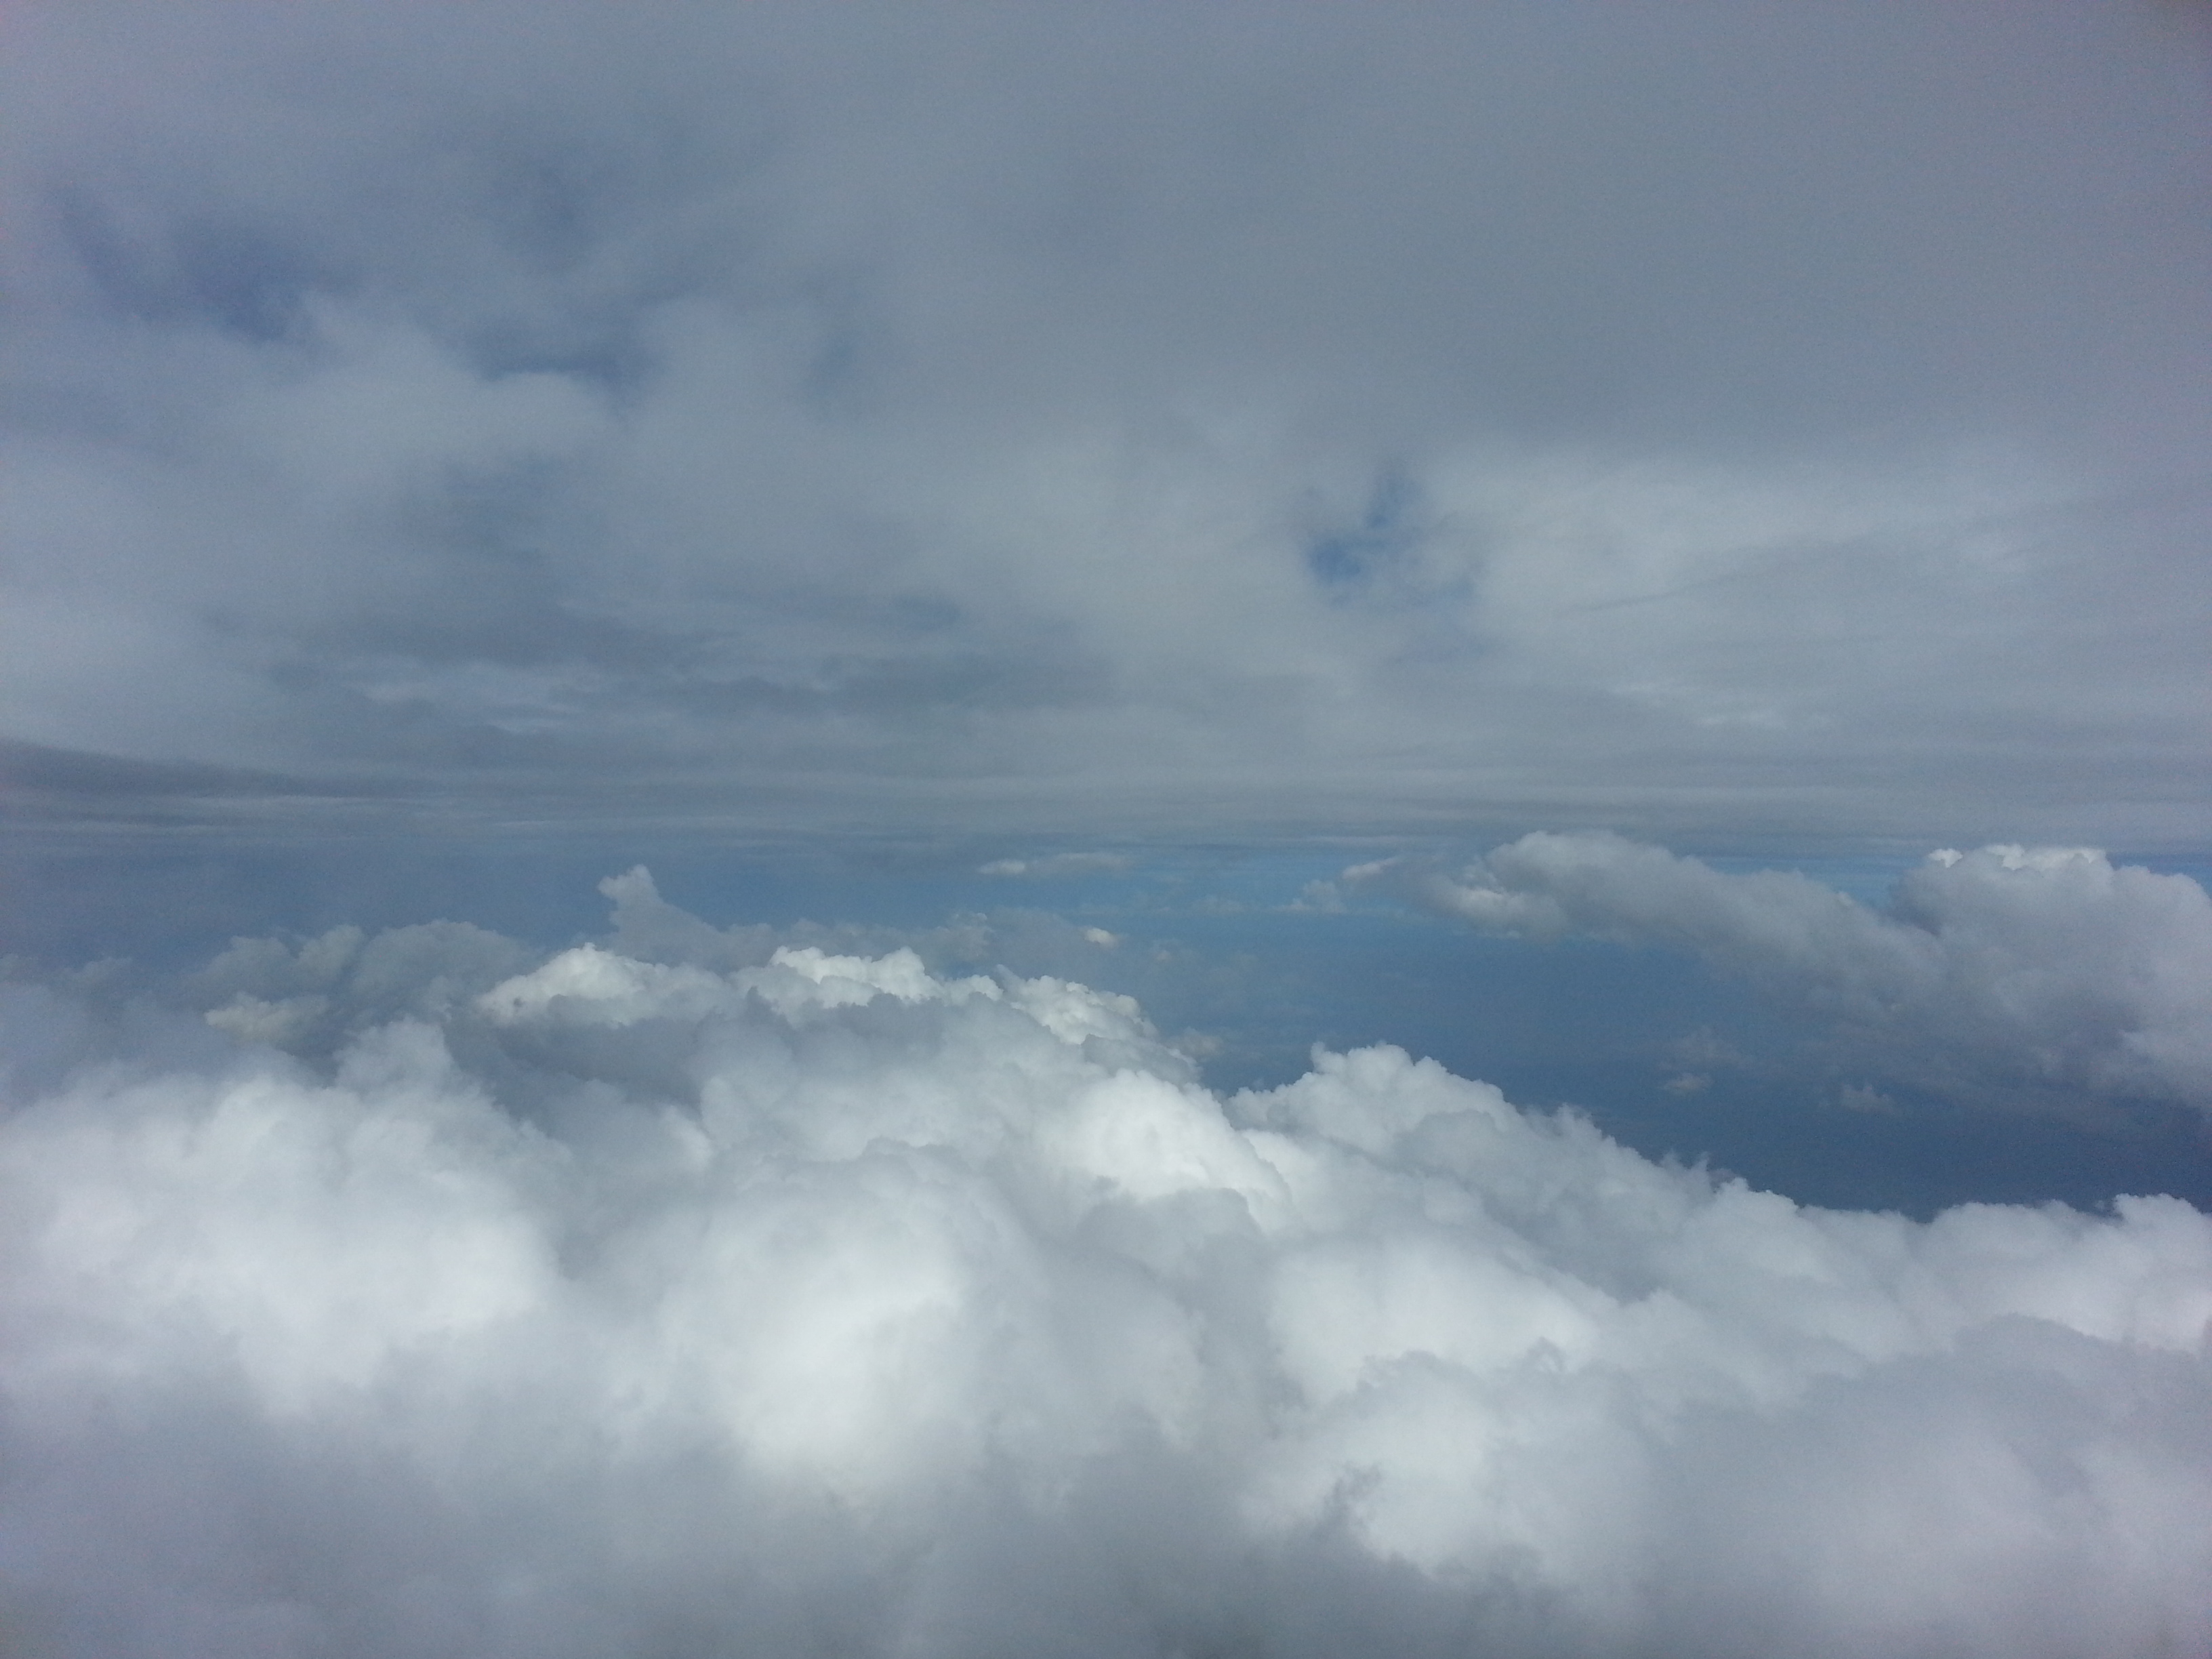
1227 948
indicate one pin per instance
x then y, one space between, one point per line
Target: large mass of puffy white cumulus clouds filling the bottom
813 1302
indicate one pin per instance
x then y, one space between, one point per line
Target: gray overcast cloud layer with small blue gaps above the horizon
1711 421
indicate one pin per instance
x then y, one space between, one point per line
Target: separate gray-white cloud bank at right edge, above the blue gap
2003 972
